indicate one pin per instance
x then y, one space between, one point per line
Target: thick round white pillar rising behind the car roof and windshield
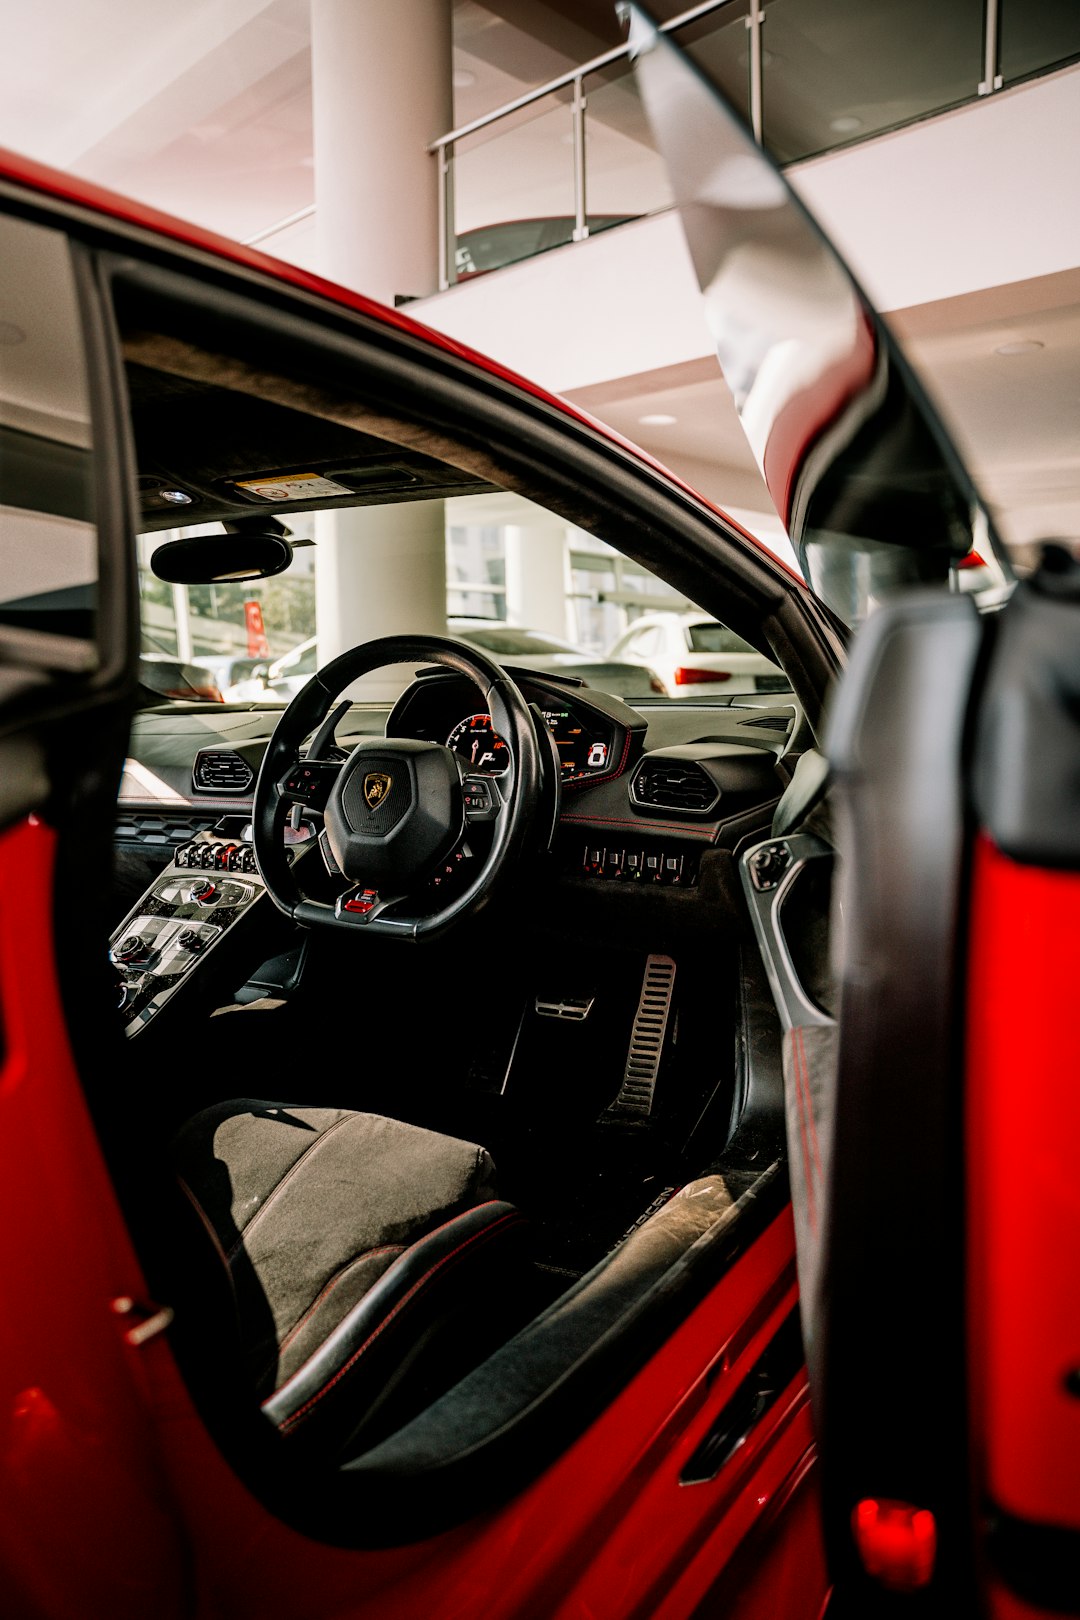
381 93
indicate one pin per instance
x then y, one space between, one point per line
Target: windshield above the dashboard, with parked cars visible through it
495 569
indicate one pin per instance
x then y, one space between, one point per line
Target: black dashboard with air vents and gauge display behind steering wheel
637 812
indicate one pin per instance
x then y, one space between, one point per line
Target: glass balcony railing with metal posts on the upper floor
576 156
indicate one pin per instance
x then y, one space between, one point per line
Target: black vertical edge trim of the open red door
885 1255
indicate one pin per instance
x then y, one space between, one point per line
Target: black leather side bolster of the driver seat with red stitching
412 1281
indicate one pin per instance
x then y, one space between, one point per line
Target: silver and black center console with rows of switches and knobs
185 914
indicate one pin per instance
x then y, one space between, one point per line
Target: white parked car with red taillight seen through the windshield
694 654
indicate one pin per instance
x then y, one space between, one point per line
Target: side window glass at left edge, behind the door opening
48 535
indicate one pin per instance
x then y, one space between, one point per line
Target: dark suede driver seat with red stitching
367 1261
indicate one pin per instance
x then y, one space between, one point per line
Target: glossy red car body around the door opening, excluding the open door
116 1499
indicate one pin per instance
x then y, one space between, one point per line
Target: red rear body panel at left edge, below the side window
79 1475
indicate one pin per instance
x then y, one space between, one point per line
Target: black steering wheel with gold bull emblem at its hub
398 809
